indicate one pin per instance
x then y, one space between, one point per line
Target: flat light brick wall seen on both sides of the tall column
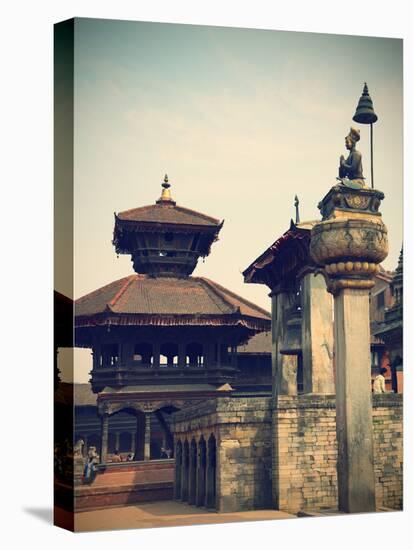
305 452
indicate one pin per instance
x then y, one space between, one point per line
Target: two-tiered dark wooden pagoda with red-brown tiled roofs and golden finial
161 338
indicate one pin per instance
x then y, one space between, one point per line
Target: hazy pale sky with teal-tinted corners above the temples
241 120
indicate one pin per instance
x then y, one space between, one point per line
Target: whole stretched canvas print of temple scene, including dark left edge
210 371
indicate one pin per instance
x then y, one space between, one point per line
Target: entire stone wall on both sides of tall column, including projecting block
291 445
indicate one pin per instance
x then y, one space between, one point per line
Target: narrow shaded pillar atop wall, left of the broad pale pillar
284 367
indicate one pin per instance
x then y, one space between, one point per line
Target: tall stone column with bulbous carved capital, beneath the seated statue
349 243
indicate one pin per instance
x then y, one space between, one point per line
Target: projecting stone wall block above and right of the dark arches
242 429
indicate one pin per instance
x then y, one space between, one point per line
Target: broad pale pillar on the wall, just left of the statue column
317 335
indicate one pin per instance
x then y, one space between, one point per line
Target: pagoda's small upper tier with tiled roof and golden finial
164 239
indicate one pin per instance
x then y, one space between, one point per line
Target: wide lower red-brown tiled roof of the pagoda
139 299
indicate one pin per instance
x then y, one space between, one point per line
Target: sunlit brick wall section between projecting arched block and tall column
304 453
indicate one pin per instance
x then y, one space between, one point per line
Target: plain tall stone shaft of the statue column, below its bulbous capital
354 402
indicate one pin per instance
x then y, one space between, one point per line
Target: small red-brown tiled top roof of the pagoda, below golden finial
167 213
